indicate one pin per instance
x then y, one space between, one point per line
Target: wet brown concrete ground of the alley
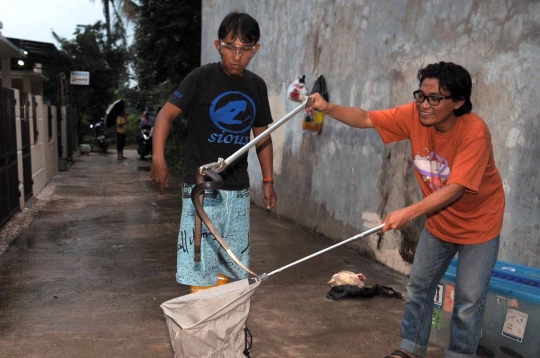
87 277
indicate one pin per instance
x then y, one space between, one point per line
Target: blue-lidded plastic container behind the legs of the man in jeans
511 326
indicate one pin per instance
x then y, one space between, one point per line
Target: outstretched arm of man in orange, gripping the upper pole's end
351 116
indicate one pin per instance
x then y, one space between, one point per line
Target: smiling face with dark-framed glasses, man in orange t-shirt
442 115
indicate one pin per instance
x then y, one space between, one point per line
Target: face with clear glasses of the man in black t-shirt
235 55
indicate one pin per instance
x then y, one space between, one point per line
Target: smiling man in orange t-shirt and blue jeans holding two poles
463 201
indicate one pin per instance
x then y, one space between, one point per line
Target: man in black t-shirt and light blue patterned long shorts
224 103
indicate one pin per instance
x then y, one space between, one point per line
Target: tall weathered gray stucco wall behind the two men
343 181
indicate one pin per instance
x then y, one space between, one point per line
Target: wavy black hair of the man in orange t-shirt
453 78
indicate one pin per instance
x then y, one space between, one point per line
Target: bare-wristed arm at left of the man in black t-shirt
159 172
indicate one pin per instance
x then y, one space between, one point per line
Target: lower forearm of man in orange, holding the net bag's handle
431 203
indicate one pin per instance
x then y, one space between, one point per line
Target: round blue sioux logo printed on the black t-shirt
233 113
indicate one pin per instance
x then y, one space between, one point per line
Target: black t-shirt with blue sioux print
221 111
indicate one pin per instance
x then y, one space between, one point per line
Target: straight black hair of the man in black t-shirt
241 26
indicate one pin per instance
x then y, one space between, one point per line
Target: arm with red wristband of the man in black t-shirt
265 154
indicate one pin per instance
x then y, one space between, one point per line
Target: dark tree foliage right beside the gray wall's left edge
166 47
